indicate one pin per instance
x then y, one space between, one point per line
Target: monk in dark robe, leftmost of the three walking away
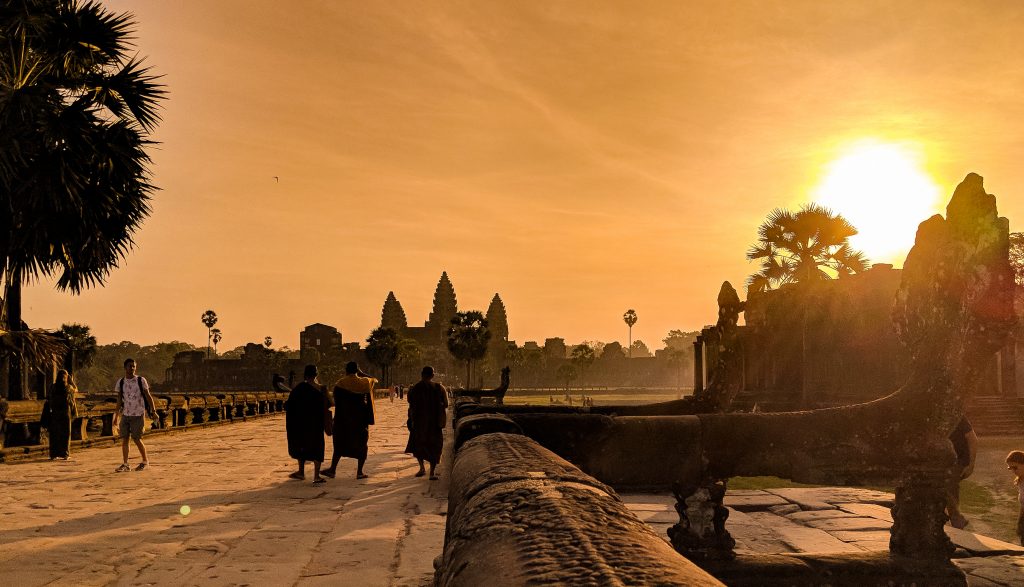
306 418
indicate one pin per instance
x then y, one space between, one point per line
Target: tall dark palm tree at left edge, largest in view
76 113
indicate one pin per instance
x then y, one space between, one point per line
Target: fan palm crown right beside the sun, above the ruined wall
801 247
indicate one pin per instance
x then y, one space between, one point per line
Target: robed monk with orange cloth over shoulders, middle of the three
354 414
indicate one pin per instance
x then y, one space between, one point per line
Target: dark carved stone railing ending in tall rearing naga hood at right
953 312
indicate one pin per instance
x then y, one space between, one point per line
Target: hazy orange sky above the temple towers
578 158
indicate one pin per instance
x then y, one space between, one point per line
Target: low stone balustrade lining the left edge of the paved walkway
21 421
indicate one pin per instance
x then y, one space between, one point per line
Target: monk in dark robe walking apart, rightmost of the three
428 416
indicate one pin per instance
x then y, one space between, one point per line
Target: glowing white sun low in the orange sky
883 191
